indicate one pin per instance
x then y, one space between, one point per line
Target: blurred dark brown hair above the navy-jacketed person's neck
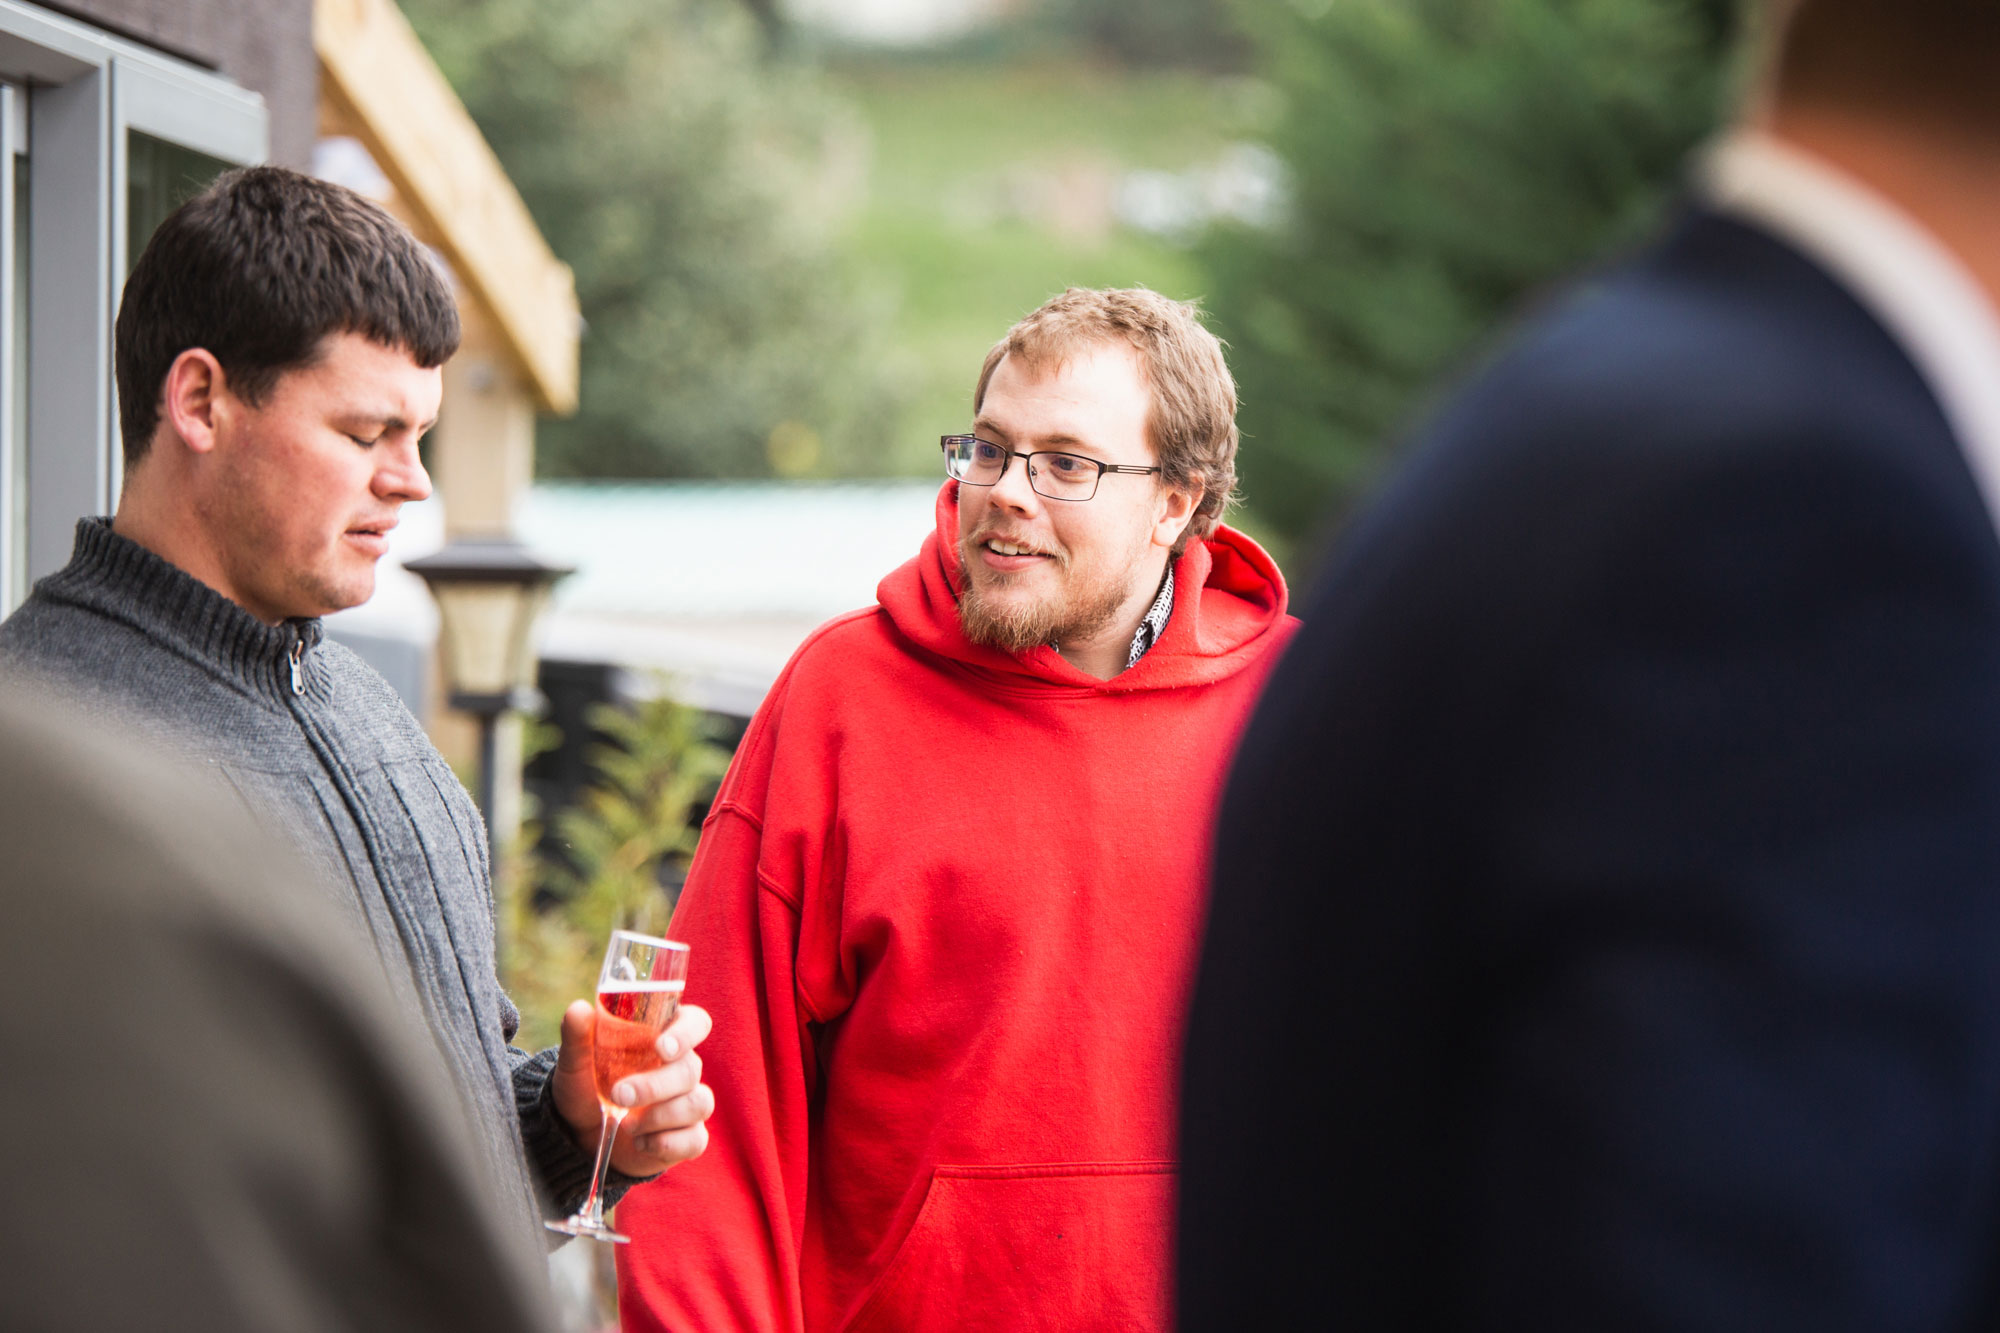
1903 57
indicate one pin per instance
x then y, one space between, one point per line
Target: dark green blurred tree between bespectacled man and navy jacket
1449 159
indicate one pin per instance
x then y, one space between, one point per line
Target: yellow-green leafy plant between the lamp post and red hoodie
657 768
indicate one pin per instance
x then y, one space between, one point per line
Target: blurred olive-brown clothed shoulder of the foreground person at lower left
213 1118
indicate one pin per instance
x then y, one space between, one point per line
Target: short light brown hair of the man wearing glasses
1193 419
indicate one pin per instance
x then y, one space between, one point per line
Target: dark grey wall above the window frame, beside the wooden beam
263 45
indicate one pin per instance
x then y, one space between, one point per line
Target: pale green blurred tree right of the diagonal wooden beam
695 185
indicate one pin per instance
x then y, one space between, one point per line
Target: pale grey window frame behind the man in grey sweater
87 91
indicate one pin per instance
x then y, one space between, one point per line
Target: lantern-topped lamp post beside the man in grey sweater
491 593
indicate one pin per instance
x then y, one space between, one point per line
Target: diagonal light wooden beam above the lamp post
381 81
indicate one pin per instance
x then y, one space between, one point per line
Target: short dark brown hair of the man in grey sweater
259 269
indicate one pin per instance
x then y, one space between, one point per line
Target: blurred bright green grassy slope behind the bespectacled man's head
989 193
